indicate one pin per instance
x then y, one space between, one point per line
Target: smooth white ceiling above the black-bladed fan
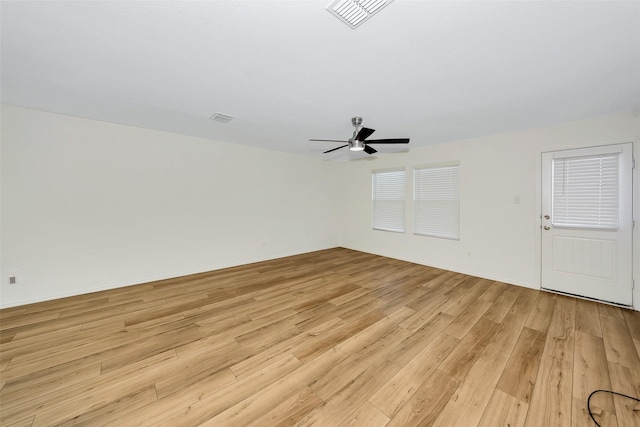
434 71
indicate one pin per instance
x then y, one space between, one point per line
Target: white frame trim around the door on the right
635 234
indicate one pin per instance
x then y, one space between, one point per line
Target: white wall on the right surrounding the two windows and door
500 239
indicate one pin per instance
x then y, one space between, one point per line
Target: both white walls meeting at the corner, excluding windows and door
88 205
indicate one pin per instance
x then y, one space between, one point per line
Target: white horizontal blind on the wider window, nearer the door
437 201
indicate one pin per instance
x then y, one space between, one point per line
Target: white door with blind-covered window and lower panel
587 222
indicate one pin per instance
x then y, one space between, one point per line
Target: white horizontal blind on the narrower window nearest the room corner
387 197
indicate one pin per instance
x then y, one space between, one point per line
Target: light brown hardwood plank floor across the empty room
330 338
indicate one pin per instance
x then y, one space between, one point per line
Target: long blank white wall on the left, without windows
88 205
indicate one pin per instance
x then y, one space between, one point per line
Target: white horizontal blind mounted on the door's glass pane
585 192
